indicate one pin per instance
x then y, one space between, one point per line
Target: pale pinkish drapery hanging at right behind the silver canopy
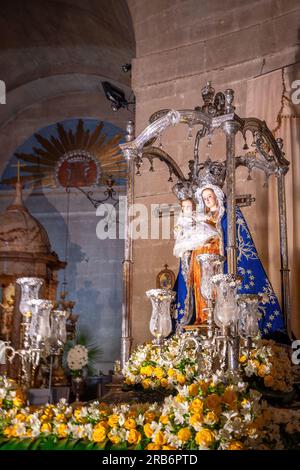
264 97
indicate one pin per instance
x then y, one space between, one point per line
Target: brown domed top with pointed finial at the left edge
20 231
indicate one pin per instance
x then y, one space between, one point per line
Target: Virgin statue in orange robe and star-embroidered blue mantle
190 305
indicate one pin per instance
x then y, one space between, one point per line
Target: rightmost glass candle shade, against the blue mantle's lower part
248 315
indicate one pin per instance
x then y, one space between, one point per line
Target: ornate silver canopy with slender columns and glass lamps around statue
217 113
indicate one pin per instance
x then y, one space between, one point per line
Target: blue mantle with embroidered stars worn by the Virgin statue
255 279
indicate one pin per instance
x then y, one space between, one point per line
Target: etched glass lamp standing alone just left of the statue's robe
160 322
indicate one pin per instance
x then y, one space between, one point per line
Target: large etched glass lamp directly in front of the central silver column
226 309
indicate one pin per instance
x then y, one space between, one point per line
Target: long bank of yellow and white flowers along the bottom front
208 414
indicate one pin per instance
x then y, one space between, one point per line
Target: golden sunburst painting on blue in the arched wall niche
73 153
